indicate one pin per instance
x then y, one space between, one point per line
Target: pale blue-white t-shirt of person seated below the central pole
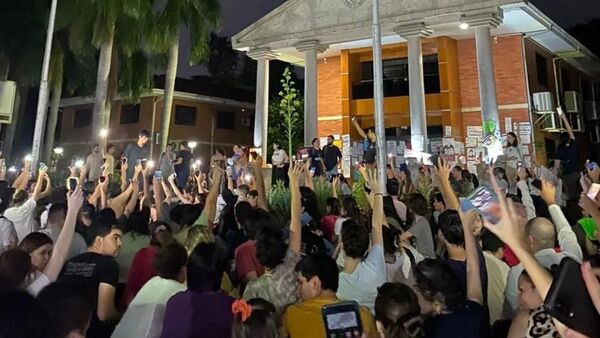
361 285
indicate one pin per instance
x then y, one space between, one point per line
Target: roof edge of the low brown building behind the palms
80 100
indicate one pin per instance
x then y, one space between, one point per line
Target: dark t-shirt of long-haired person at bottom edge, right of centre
467 322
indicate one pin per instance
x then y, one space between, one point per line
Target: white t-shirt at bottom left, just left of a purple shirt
145 315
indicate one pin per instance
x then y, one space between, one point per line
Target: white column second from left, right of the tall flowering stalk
310 49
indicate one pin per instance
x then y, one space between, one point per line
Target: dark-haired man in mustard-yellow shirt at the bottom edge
317 285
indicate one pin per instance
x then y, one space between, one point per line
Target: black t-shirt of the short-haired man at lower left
91 269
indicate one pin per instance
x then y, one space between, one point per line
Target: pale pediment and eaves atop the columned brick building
339 27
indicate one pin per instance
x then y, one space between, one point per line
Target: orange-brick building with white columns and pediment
442 62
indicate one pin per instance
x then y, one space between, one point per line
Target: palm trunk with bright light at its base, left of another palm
102 86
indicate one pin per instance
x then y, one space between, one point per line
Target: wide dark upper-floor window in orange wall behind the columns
395 78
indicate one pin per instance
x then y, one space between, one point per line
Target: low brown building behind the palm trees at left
211 122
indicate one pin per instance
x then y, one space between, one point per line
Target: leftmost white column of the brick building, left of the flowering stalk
261 114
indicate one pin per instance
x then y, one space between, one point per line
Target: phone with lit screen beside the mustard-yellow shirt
342 320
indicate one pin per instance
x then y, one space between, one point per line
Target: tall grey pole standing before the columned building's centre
377 86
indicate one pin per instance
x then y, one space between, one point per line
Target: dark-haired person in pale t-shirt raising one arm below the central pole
361 276
